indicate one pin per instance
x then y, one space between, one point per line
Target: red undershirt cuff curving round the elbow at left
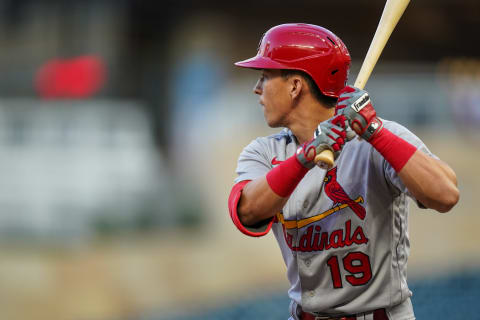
256 231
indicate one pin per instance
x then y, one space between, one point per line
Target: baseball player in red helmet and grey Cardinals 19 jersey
343 231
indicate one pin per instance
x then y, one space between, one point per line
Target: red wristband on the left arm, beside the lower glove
284 178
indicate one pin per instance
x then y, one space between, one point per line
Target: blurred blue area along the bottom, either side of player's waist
447 297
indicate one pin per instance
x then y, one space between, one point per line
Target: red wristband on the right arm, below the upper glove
393 148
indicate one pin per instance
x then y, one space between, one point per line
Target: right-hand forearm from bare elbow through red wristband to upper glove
430 181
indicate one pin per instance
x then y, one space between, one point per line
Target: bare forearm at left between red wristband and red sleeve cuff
258 202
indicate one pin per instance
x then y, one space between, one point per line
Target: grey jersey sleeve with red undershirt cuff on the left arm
252 163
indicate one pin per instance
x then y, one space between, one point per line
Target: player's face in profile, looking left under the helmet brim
274 97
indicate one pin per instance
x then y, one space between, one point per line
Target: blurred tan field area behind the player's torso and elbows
162 273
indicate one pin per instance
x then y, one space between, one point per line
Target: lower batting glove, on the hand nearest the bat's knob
329 135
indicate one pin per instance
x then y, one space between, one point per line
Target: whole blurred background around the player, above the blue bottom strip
121 122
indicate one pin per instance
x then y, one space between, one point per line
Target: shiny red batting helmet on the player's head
309 48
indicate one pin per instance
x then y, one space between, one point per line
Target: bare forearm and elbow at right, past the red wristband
430 181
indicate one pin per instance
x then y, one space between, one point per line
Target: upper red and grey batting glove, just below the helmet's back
356 106
